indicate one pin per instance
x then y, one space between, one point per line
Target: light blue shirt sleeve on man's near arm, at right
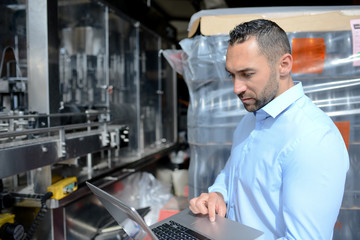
313 185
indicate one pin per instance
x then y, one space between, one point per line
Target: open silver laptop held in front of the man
183 225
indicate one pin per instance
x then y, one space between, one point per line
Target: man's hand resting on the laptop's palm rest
209 203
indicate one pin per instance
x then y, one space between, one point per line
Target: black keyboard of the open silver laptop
176 231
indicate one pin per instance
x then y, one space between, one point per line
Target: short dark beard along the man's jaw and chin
267 95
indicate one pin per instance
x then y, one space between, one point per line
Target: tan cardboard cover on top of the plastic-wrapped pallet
291 19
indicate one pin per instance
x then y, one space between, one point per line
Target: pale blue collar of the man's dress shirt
284 100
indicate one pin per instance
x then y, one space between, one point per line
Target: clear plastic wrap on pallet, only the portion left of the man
214 109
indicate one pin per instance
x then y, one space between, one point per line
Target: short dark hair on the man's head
272 39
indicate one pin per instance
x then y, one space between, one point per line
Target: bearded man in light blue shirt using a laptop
287 168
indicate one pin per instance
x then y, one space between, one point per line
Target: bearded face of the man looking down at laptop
255 83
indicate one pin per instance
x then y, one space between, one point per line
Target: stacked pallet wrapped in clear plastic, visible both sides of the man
323 61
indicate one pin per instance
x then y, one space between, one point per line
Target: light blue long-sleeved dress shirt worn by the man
287 169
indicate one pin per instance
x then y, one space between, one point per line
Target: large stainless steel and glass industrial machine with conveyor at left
85 95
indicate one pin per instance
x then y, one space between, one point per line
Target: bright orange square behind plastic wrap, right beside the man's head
308 55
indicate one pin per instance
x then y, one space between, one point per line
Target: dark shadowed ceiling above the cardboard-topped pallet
170 18
